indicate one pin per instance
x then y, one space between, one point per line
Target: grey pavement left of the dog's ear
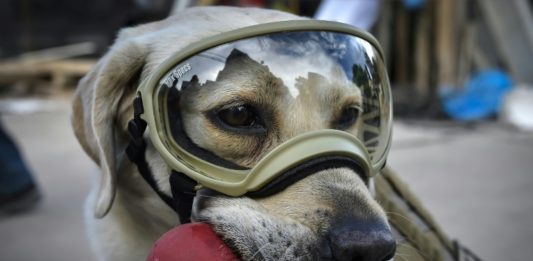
54 231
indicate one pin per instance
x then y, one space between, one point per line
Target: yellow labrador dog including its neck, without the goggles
329 215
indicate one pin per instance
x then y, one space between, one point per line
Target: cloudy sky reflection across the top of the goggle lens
289 56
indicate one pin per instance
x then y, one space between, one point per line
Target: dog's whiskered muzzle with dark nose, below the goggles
339 228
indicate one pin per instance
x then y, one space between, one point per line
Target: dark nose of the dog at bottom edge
362 241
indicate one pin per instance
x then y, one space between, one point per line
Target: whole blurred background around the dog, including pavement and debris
462 81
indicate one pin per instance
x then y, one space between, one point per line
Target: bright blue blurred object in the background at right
481 97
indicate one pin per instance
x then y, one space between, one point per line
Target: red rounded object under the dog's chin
192 241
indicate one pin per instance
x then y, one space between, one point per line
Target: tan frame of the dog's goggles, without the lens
287 155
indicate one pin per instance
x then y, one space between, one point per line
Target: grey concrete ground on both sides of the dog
477 180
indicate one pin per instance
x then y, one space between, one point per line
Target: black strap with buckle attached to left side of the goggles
182 187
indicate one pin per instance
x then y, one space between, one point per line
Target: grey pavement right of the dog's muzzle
477 181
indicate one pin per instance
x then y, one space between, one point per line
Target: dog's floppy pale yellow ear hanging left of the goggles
96 108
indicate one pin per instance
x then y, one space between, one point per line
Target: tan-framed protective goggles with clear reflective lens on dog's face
319 89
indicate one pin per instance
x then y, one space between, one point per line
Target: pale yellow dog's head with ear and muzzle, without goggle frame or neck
239 118
